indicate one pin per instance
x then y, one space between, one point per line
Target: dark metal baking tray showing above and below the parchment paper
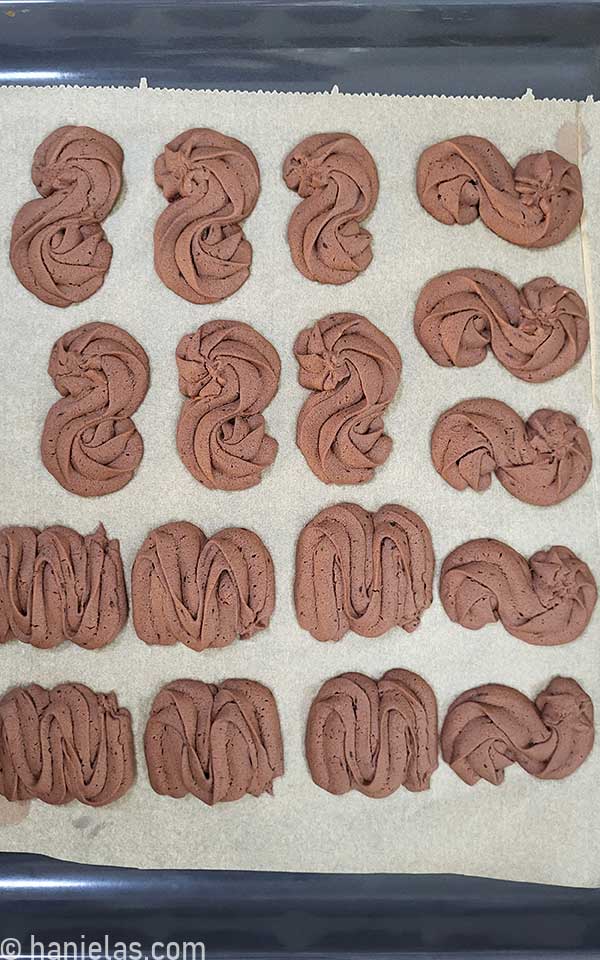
387 46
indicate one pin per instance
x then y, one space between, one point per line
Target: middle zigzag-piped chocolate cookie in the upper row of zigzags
203 593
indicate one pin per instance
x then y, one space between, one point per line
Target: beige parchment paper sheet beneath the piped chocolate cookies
525 830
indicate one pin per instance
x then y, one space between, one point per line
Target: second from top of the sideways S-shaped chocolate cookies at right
537 332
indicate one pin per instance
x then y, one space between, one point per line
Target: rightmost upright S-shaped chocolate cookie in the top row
337 179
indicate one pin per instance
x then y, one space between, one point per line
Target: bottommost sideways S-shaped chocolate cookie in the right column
489 727
